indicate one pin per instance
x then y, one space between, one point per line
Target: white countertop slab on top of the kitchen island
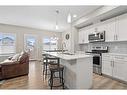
68 57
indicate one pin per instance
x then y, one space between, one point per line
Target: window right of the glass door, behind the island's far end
50 43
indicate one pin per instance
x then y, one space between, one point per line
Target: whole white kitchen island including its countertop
78 70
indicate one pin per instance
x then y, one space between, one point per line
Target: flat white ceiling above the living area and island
42 17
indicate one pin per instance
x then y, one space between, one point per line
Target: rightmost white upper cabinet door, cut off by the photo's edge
121 28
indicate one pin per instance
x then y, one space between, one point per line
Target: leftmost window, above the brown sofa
7 43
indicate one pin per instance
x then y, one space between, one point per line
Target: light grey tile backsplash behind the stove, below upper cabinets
114 47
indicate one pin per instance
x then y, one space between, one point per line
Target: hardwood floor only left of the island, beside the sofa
33 81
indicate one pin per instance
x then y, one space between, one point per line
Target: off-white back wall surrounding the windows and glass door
20 31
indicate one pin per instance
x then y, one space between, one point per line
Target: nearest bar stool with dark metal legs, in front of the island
53 69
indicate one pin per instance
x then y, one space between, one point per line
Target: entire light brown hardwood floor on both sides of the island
35 80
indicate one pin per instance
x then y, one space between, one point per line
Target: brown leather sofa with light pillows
10 69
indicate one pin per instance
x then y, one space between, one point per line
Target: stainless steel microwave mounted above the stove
98 37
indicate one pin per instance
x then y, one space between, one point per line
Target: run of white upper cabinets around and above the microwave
115 30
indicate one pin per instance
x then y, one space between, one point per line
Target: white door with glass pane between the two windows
30 45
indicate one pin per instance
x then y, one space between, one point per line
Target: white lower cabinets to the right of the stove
115 67
